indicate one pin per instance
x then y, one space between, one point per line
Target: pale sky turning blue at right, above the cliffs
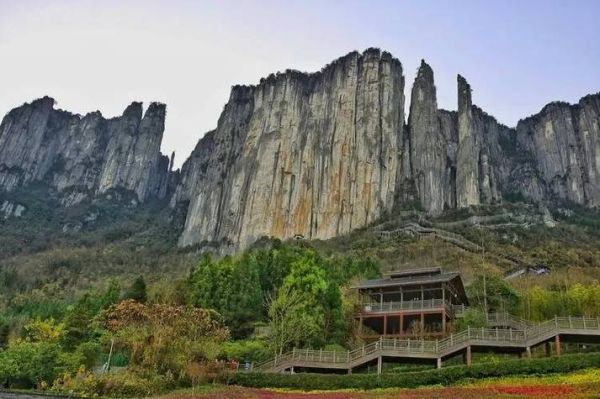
104 54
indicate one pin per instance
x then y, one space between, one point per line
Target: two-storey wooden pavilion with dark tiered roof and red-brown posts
417 303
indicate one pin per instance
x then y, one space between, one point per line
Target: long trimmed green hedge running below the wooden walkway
443 376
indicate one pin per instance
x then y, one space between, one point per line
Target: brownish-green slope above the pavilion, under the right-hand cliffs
571 248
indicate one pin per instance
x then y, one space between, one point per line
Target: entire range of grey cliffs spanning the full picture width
314 155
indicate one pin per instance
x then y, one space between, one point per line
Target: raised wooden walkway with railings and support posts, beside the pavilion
576 329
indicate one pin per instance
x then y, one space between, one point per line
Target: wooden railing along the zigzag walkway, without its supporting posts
524 337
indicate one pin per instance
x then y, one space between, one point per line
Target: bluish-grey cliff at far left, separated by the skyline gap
83 156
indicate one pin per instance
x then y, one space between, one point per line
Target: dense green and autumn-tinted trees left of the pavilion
177 333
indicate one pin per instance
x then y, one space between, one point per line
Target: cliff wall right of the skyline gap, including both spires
319 155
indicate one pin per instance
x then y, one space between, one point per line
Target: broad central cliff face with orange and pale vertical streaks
310 155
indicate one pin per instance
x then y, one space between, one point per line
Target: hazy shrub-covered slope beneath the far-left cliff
113 238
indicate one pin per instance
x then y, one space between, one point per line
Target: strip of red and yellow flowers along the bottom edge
582 384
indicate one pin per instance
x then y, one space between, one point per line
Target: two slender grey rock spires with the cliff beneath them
456 157
